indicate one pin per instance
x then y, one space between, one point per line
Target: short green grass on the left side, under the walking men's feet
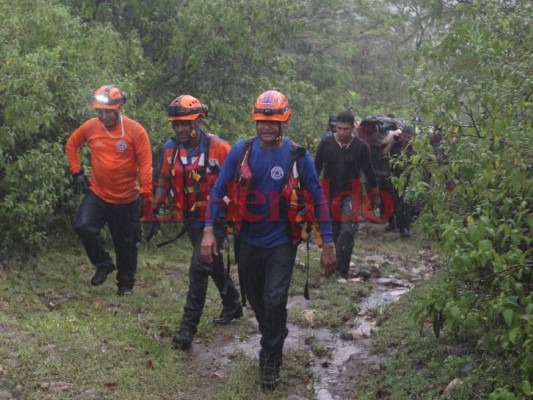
63 338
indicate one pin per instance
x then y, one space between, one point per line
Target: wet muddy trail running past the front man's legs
347 352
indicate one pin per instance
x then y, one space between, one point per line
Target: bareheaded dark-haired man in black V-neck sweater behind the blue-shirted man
343 157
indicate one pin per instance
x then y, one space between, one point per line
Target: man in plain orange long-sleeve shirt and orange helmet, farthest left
121 172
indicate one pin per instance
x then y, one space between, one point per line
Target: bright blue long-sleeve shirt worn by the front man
269 172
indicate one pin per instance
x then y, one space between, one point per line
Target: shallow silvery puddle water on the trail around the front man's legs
330 377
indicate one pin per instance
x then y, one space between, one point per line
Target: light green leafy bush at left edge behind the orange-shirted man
50 65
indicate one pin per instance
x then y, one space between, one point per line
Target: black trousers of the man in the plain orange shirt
124 224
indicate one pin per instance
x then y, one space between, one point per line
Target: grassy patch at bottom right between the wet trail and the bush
419 366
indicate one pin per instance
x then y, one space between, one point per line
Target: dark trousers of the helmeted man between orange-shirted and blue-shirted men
199 272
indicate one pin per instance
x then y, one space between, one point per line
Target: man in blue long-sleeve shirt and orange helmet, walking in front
264 167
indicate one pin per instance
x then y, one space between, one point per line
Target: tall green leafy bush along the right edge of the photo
481 84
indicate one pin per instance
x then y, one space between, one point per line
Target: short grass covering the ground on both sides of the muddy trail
63 339
